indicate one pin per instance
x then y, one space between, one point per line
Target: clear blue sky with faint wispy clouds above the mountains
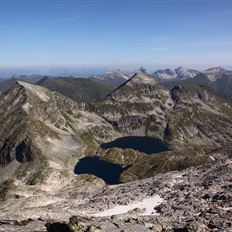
116 33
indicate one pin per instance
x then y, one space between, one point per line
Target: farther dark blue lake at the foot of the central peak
144 144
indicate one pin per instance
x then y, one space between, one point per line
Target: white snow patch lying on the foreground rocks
148 204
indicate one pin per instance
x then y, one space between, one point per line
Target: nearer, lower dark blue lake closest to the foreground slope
93 165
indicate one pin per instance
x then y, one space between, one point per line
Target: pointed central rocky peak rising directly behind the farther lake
137 107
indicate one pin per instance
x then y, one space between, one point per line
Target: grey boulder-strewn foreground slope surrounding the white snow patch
196 199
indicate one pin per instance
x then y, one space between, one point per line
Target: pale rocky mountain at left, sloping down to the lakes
42 131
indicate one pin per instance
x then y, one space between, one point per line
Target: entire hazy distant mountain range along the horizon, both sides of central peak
96 88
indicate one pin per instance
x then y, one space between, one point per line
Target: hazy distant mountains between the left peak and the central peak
87 90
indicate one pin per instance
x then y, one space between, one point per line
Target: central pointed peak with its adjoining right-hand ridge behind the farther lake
184 116
